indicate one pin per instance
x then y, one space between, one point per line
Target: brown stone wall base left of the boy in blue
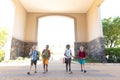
20 48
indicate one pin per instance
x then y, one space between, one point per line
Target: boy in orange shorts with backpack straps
46 57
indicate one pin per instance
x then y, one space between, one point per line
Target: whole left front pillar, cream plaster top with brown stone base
17 46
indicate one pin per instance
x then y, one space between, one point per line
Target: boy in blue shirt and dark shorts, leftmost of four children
34 57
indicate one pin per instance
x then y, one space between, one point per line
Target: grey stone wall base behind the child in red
95 49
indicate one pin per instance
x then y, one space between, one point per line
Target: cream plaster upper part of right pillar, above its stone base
93 22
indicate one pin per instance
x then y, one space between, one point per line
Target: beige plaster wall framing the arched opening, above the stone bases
32 21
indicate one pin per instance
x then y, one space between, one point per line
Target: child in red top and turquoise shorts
81 58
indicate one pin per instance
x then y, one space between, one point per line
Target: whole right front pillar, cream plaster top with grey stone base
96 49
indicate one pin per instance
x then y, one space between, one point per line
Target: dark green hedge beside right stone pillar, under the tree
113 55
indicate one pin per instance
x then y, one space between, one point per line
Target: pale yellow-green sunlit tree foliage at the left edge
3 36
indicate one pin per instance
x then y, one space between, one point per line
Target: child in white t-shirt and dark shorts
68 55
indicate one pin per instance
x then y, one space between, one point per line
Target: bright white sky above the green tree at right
110 8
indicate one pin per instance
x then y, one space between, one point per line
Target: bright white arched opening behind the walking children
56 31
